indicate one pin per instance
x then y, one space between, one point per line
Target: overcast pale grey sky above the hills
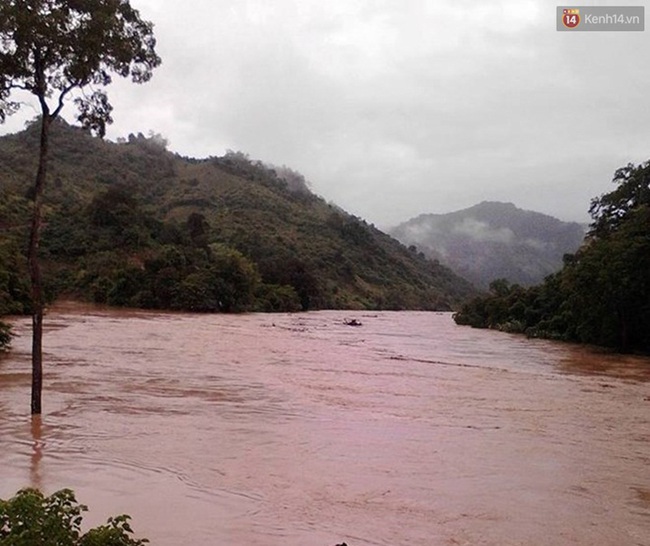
393 108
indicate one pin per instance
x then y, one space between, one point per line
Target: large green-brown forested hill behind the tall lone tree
130 223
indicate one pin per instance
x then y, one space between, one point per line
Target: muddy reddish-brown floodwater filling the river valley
297 430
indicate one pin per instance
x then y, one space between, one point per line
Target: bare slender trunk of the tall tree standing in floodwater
38 302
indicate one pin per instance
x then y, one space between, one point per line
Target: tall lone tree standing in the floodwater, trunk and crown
57 50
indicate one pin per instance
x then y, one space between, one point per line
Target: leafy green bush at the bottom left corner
32 519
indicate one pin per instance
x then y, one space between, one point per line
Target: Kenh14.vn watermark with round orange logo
600 18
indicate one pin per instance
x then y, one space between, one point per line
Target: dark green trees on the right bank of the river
602 294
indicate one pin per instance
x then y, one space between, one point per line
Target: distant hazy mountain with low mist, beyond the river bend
494 240
